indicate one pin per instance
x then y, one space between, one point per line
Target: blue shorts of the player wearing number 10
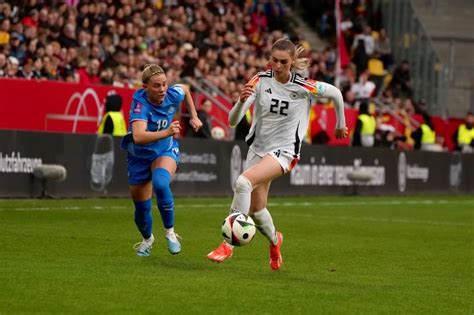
139 169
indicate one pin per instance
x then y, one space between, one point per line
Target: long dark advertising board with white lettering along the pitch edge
96 167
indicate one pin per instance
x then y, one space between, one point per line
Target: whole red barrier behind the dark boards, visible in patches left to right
77 108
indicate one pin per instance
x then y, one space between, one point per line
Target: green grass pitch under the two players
354 255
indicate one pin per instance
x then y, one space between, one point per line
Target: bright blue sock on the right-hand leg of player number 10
161 186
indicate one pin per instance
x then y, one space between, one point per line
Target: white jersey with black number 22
281 112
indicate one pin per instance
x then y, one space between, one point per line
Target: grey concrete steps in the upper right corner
450 27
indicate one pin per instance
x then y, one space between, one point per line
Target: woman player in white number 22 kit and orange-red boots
282 101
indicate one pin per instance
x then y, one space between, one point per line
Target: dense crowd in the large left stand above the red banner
109 42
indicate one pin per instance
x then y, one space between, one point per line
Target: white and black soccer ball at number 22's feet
238 229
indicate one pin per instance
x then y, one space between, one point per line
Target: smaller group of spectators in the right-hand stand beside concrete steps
373 82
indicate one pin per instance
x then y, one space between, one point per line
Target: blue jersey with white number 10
158 117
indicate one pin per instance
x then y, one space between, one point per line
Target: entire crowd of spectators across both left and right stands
224 42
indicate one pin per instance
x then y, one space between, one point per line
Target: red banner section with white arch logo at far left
55 106
